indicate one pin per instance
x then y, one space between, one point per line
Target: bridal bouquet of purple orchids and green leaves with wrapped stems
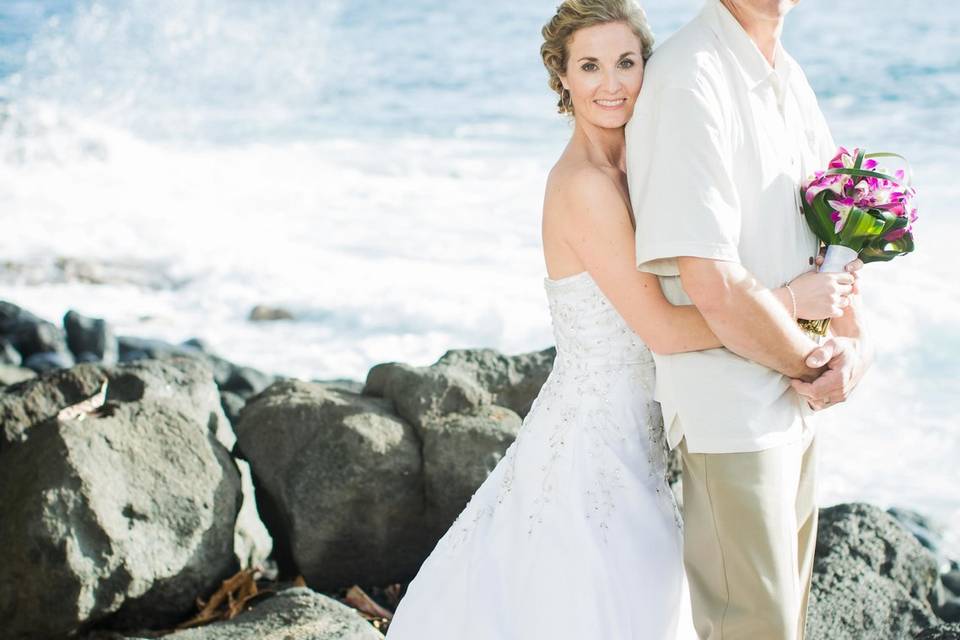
859 209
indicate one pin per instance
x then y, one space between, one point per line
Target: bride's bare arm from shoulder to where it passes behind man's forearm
600 234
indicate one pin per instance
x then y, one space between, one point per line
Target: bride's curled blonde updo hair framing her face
573 15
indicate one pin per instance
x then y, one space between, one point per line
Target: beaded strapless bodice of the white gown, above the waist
586 326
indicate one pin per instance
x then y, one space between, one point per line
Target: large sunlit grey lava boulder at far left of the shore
117 495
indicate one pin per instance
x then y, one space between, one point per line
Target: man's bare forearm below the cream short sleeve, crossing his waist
747 317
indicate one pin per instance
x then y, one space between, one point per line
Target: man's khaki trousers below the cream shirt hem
749 537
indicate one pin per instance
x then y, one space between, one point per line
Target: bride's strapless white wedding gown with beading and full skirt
575 534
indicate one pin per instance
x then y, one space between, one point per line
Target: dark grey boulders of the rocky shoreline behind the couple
138 477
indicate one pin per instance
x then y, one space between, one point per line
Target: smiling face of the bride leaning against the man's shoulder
604 73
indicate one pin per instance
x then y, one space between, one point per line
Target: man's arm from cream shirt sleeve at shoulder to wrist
686 203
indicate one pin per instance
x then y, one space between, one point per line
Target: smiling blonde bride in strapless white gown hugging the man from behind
575 534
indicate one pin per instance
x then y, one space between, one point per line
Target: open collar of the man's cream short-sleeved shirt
754 67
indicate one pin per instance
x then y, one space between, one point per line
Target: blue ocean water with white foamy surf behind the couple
378 168
